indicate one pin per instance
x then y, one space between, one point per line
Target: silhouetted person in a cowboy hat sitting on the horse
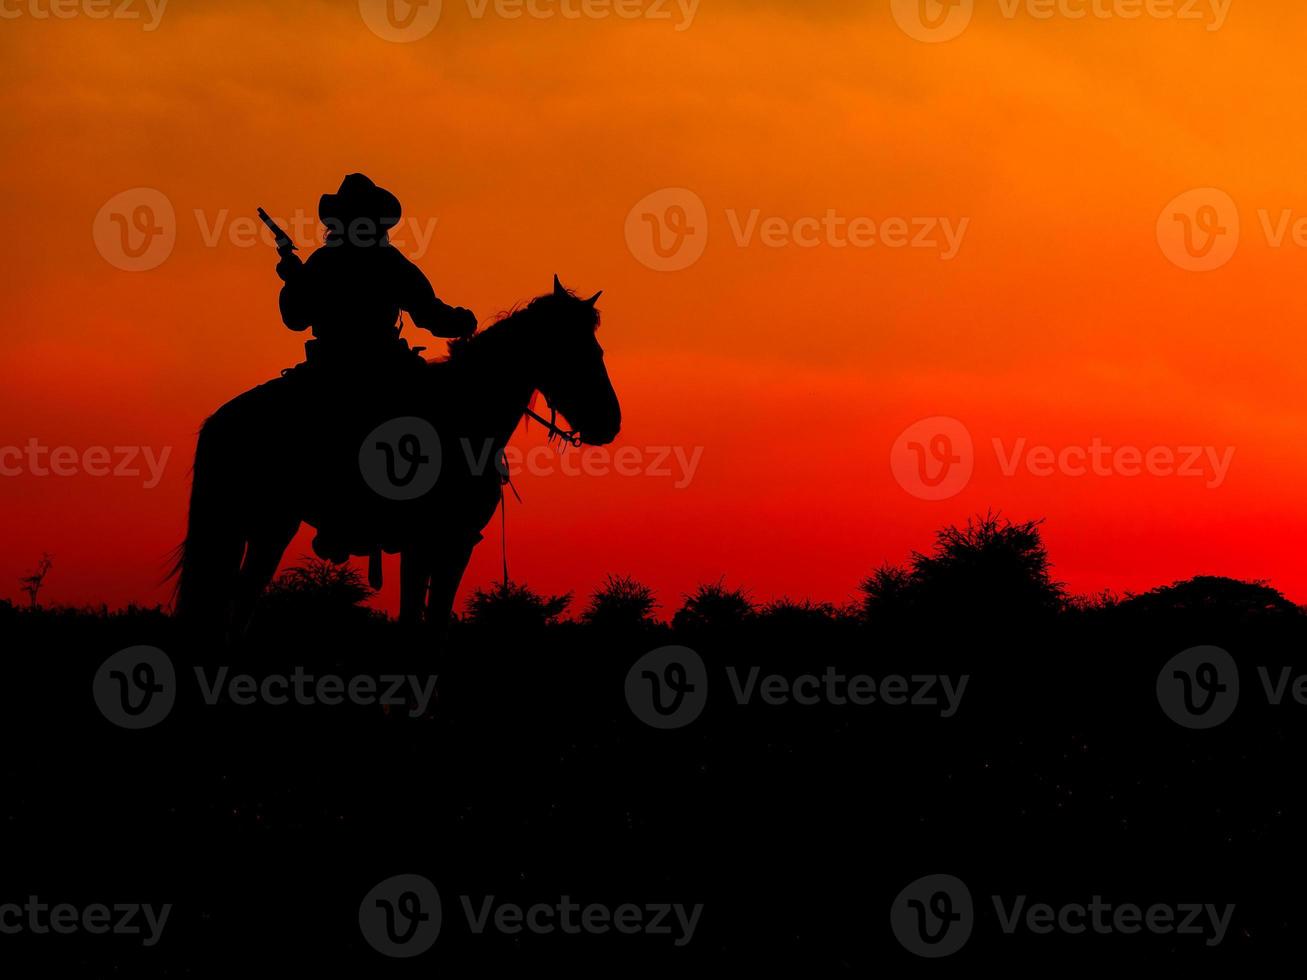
352 291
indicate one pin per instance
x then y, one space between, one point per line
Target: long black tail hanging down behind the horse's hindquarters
210 560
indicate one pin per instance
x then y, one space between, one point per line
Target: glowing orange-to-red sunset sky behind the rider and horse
523 144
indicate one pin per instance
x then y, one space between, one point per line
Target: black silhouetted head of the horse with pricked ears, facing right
571 369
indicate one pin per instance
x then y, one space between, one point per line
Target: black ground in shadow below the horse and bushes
1061 778
